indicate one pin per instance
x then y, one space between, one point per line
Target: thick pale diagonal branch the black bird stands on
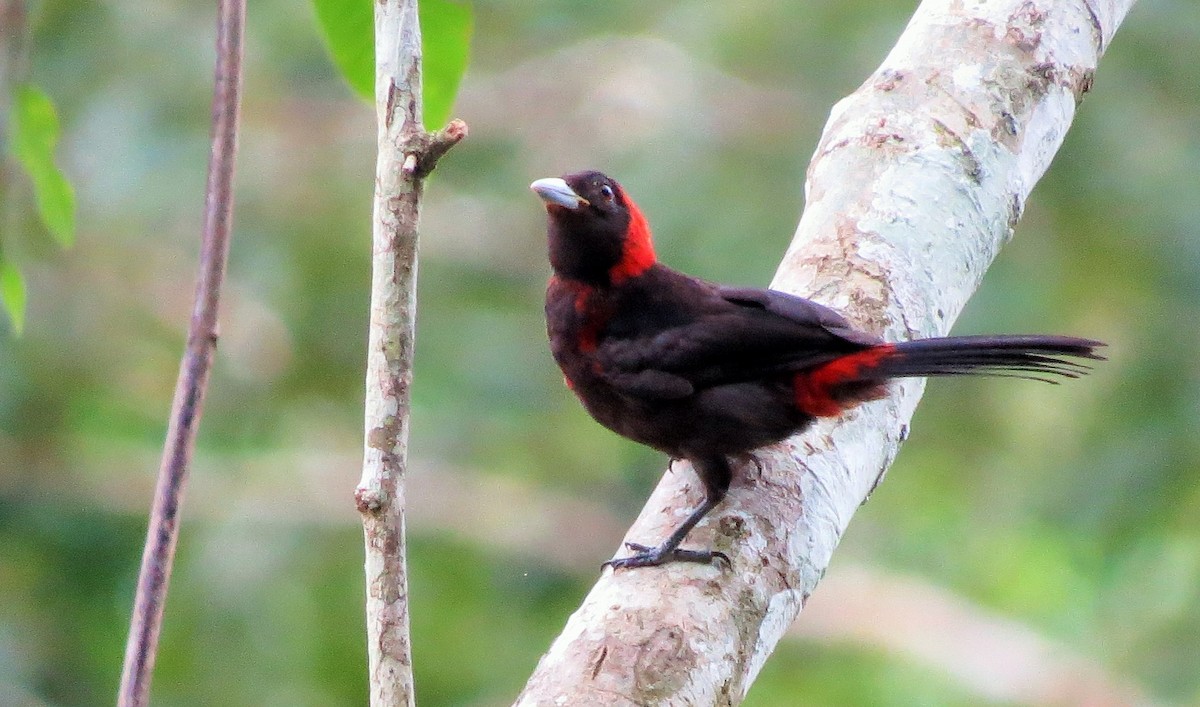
920 178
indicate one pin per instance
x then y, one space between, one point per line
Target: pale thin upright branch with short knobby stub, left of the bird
406 155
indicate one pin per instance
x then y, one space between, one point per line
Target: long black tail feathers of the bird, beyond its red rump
1037 358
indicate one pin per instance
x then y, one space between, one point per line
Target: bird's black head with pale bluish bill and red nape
597 233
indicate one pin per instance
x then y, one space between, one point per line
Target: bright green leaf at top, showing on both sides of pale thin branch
349 28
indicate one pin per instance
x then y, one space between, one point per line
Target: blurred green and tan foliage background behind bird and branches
1031 544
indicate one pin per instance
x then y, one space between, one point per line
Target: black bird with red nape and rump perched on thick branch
709 373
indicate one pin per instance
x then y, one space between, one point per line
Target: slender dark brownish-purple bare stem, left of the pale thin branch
194 373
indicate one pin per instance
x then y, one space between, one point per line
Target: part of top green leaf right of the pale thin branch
446 46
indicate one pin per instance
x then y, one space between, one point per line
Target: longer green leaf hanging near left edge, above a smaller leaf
35 133
